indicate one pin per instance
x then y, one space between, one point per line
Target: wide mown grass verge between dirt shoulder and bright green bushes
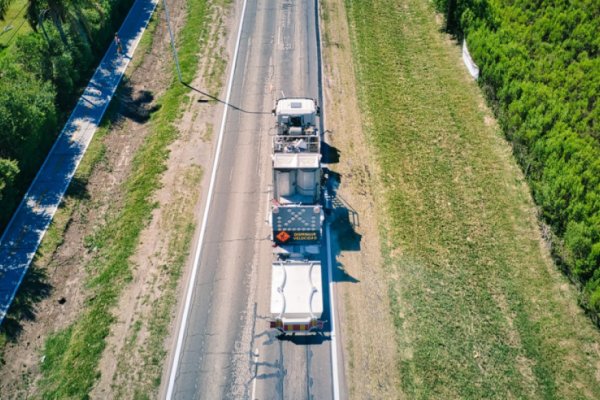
478 307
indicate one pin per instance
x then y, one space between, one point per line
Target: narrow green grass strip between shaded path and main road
72 355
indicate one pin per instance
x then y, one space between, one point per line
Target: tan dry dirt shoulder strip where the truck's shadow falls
370 350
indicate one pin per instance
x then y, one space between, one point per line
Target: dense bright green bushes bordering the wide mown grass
541 72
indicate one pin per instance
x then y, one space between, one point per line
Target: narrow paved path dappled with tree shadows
25 231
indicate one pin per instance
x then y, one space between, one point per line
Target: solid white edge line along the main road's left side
190 288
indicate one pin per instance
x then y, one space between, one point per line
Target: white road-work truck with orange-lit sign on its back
296 218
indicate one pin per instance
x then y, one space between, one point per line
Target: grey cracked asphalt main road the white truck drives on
227 350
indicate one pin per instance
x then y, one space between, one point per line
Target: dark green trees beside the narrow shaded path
41 76
